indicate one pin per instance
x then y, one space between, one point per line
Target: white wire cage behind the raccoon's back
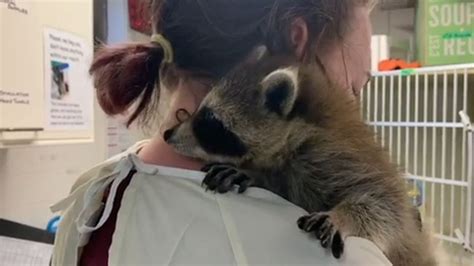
422 118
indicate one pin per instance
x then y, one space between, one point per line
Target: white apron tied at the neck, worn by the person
167 218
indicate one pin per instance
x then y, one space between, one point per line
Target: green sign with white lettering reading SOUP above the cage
445 31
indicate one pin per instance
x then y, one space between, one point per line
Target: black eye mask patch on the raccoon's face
214 137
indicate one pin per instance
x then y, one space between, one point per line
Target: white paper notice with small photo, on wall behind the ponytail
68 87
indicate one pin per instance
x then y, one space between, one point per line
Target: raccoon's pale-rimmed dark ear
280 89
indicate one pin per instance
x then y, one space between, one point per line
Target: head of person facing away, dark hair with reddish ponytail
210 37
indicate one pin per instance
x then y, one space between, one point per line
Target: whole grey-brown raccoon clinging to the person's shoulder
282 126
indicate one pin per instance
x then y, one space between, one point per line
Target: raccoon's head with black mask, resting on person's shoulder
246 117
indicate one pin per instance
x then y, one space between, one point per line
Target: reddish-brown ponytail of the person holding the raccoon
125 74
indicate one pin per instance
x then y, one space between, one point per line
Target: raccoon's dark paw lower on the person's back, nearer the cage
325 230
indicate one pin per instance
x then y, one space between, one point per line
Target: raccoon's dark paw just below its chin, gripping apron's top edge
222 178
